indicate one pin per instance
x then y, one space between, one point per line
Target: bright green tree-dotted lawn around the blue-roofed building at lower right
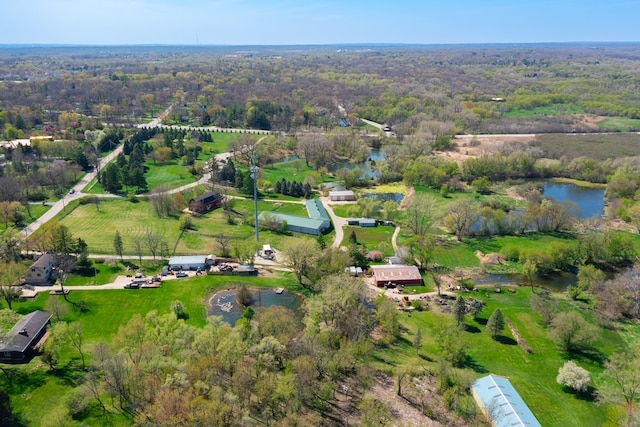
533 375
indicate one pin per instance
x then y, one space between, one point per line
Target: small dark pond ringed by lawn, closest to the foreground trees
224 303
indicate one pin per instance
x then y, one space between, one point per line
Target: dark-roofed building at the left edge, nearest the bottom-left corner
25 338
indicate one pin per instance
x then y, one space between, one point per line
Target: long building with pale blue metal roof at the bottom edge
501 402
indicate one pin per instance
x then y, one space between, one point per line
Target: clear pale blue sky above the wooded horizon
264 22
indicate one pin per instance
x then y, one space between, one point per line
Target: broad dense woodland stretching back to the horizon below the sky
419 90
